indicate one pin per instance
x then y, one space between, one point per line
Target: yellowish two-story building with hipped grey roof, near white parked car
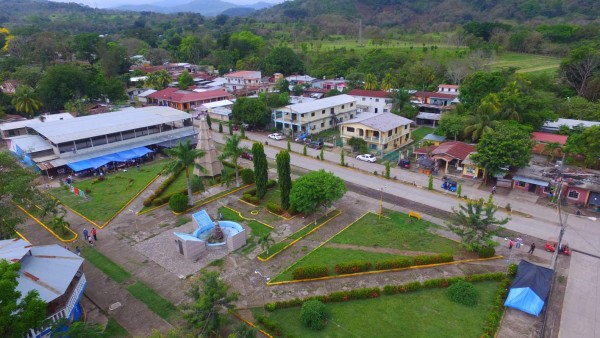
383 132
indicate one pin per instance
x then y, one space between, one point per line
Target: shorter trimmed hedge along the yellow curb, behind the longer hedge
361 266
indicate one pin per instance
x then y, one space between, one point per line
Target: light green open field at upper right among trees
526 63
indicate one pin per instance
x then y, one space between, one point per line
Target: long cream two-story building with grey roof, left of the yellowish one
315 116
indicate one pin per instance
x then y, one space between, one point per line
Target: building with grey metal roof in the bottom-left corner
54 272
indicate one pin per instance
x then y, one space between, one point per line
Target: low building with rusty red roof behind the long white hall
186 99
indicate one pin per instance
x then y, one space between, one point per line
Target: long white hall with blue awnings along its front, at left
90 142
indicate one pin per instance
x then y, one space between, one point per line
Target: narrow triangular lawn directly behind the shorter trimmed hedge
331 257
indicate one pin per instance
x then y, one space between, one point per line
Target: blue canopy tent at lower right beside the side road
530 288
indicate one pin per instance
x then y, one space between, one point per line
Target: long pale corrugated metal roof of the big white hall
103 124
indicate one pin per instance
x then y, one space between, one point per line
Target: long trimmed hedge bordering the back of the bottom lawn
366 293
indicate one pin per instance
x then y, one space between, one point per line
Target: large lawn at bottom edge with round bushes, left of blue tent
425 313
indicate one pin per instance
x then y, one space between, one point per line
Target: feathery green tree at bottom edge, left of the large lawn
211 299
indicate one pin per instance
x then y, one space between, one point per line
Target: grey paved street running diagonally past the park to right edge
579 318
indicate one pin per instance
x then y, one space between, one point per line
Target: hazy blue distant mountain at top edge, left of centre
204 7
